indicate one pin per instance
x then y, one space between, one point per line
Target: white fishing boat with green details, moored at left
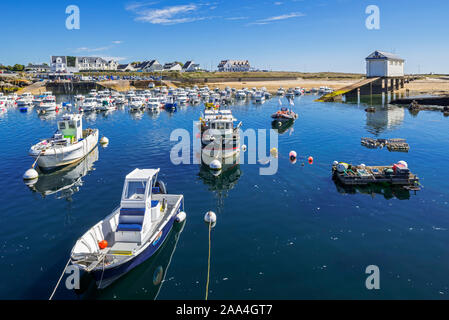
68 145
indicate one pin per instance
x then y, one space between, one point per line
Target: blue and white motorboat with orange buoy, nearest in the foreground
133 232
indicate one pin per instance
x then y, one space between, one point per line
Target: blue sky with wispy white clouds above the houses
293 35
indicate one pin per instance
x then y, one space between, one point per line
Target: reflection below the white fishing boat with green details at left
65 182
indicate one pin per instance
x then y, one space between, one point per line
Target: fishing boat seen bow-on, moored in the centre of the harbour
220 137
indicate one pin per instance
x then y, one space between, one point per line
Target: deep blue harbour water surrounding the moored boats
292 235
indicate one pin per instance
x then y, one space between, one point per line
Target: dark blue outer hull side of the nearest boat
104 278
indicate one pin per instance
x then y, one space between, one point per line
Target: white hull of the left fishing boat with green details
60 157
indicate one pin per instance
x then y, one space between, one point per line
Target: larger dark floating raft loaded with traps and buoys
397 174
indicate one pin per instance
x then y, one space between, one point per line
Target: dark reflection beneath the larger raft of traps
389 192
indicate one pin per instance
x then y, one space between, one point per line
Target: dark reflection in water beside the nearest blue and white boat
144 282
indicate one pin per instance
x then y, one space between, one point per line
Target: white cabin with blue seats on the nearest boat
138 211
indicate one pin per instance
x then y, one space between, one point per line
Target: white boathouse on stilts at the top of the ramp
384 64
